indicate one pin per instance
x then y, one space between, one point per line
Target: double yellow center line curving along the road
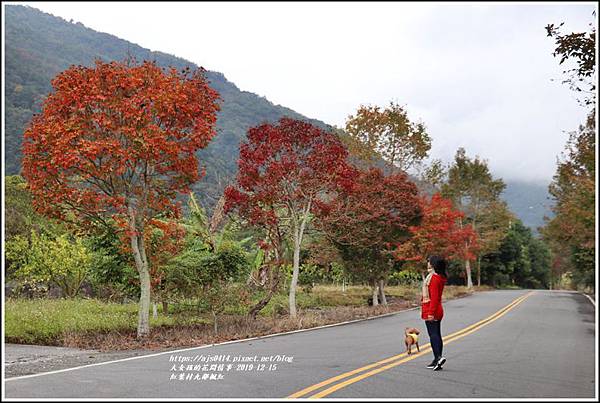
398 359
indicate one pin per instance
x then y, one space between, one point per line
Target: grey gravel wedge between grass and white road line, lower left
22 359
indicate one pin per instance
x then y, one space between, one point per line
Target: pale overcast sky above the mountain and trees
479 75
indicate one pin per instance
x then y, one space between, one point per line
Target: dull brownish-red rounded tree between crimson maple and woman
365 220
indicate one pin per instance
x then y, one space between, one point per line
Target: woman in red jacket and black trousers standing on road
431 307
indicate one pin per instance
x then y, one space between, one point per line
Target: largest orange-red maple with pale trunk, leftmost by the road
119 141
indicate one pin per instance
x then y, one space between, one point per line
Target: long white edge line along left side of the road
204 346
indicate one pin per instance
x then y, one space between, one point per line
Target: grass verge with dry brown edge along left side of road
88 323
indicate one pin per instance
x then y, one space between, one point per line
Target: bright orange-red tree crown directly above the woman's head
439 233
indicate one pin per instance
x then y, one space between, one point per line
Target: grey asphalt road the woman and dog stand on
499 344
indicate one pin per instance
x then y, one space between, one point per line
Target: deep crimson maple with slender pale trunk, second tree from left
284 169
